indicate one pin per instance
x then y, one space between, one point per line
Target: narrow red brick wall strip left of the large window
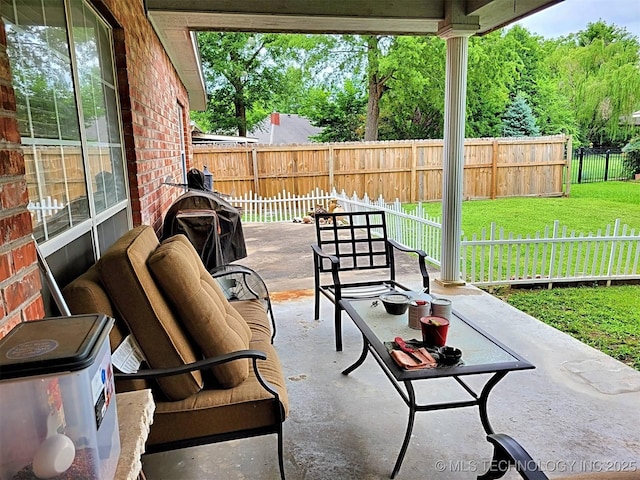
19 275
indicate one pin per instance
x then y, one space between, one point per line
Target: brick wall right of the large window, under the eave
150 92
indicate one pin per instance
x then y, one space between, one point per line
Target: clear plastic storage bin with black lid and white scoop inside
57 400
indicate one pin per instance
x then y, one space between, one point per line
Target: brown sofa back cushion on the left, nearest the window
140 303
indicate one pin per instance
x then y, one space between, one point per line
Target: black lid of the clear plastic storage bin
52 345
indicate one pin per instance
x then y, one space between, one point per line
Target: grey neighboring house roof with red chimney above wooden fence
284 128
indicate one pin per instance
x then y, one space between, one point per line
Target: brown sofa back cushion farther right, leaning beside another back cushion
203 310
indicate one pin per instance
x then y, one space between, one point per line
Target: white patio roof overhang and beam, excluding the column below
174 20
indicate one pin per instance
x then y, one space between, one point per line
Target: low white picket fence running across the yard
493 258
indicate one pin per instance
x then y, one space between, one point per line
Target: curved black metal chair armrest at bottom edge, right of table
508 452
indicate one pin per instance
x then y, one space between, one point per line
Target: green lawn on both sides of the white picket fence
607 318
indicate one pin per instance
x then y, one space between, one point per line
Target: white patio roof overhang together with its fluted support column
453 20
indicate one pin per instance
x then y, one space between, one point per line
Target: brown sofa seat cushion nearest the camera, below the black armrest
219 411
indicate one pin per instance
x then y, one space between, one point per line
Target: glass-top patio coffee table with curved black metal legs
481 354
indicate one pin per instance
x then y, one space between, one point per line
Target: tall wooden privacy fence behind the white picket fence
410 171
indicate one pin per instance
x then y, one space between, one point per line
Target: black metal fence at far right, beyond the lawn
598 165
